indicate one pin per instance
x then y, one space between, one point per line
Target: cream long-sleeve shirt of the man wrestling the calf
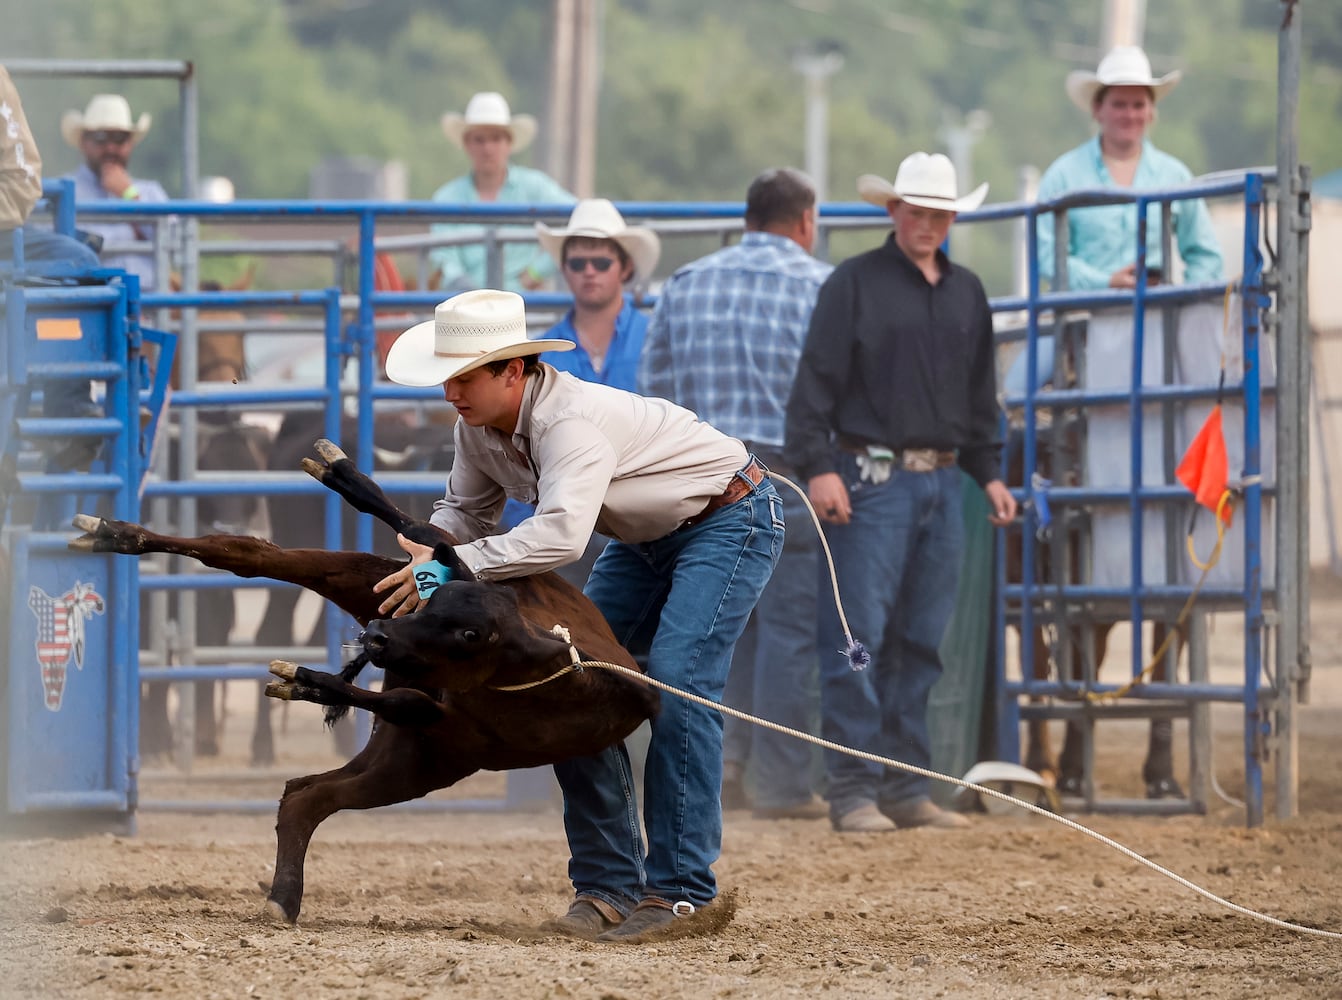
591 458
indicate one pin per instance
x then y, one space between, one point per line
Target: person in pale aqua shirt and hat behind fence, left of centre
491 134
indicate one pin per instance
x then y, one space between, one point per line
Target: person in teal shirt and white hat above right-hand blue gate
1121 97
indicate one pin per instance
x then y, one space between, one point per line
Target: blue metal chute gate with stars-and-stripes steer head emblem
72 687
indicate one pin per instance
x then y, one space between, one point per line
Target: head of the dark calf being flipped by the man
461 638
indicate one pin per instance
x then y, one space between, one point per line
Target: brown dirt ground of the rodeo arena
415 905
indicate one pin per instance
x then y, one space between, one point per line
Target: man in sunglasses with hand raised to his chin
105 134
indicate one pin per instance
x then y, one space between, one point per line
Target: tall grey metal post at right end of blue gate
1293 426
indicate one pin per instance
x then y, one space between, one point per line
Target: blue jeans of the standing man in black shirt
898 567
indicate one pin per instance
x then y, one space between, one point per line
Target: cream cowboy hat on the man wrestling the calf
466 332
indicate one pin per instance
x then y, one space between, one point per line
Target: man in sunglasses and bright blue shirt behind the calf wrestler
601 257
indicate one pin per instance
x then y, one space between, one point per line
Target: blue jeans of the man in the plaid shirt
774 673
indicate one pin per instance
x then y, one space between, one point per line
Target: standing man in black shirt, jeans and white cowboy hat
896 395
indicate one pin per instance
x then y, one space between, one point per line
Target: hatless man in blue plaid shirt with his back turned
725 342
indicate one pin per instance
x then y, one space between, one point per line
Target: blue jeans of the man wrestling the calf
682 599
